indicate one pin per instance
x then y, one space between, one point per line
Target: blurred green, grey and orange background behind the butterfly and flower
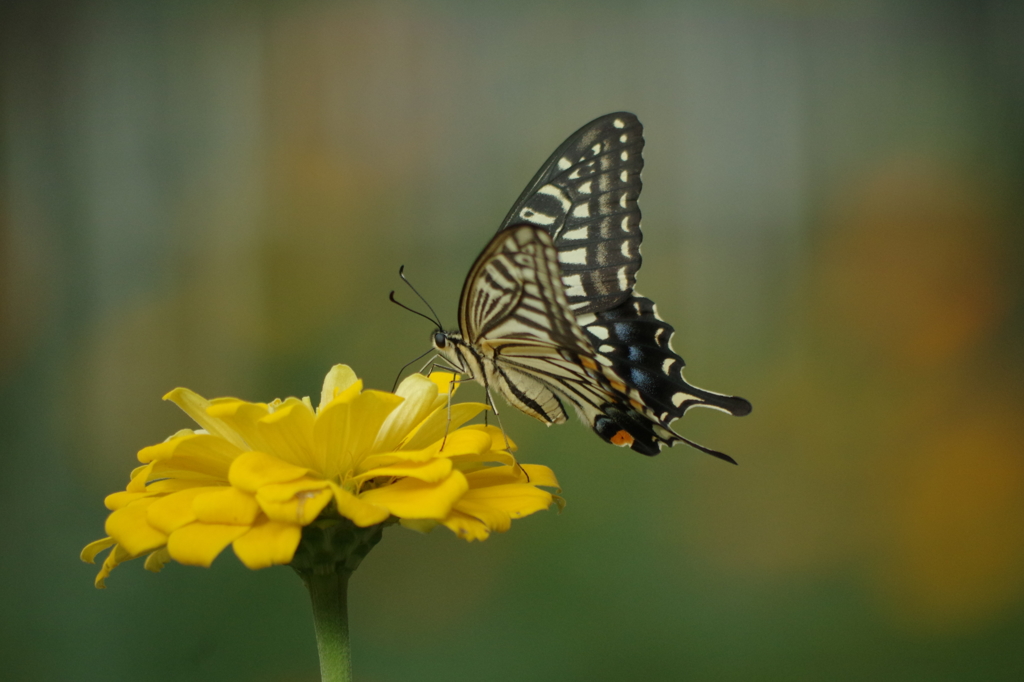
220 196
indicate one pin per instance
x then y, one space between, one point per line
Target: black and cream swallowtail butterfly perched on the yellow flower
548 314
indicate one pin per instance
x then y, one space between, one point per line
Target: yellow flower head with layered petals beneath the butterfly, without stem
257 474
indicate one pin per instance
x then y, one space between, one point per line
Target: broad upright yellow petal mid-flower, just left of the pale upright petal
345 432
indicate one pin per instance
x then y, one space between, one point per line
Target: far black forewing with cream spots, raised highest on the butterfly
585 196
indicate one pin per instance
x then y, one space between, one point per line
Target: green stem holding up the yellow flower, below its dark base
330 596
